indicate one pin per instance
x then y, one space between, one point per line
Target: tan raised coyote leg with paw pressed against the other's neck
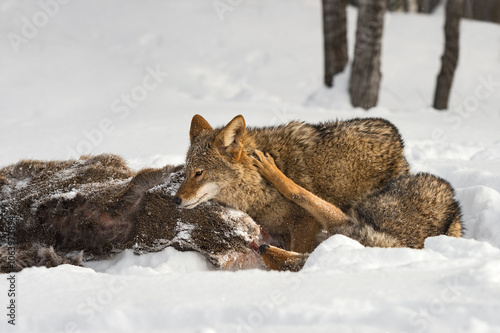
327 214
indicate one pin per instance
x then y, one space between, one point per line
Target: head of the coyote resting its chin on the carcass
216 162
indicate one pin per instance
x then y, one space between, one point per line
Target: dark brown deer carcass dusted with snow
49 211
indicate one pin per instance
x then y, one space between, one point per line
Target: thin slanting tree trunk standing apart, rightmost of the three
450 57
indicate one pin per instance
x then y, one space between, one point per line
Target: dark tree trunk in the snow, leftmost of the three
335 38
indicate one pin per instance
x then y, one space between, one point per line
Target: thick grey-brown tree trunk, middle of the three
365 76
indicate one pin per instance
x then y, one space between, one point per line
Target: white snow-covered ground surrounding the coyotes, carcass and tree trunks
64 92
